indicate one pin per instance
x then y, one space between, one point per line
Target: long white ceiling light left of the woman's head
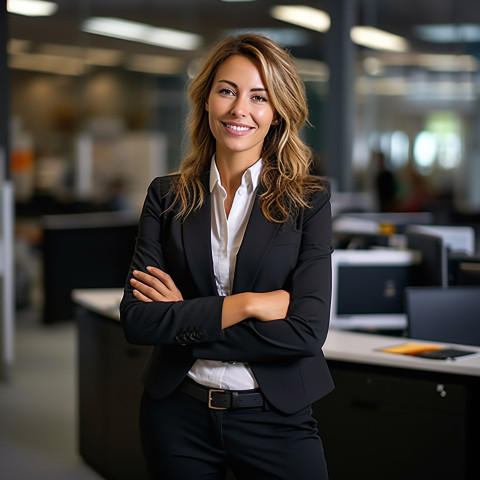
141 32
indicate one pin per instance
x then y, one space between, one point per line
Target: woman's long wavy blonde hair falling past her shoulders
286 159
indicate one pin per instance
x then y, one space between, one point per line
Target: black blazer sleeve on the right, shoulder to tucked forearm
303 332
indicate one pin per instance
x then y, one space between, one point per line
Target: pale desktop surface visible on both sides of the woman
340 345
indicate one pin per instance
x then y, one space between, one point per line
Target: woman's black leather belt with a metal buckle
219 399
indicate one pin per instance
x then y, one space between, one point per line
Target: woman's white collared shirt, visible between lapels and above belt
226 238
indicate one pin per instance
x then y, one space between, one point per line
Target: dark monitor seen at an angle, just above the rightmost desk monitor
433 267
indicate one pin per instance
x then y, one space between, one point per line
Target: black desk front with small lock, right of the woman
390 423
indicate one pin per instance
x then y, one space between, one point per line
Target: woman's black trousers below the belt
183 439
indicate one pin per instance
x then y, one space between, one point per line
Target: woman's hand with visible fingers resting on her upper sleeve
155 286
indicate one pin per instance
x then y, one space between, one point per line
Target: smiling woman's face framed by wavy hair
239 109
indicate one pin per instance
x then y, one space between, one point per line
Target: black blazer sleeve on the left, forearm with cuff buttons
182 323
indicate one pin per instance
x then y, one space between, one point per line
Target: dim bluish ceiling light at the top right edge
449 33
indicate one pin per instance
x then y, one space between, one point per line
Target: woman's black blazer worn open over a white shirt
285 355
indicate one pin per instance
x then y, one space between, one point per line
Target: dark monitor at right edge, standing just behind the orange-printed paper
447 315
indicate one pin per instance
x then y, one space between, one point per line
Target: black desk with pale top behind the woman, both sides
390 416
